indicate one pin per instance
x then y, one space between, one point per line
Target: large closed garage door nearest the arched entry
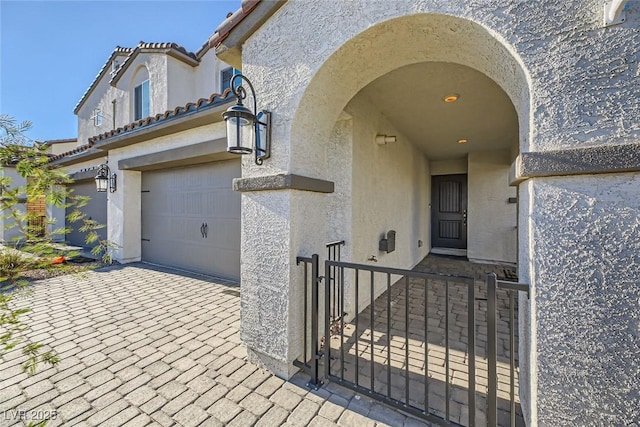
191 218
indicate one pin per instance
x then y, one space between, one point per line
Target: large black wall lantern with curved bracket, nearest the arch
247 131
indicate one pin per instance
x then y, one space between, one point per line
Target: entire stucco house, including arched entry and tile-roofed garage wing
506 132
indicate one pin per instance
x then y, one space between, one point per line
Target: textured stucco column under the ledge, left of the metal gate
277 226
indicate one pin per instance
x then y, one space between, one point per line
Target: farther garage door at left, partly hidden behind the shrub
96 209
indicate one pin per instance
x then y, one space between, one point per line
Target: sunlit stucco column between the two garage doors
123 216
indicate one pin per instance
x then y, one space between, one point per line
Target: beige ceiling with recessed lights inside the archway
411 97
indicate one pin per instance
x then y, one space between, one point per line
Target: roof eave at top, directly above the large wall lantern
232 33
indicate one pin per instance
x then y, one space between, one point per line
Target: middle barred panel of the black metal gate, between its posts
386 361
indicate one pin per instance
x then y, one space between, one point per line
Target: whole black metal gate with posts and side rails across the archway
443 348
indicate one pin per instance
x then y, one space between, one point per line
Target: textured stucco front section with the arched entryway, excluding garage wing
544 129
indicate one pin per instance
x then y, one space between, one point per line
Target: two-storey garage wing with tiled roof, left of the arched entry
152 114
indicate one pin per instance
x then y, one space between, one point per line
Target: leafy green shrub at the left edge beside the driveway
33 247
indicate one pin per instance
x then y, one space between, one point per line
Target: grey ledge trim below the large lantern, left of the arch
282 182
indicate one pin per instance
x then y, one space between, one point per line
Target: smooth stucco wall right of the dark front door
491 218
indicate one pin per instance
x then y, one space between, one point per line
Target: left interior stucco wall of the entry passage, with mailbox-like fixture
390 191
